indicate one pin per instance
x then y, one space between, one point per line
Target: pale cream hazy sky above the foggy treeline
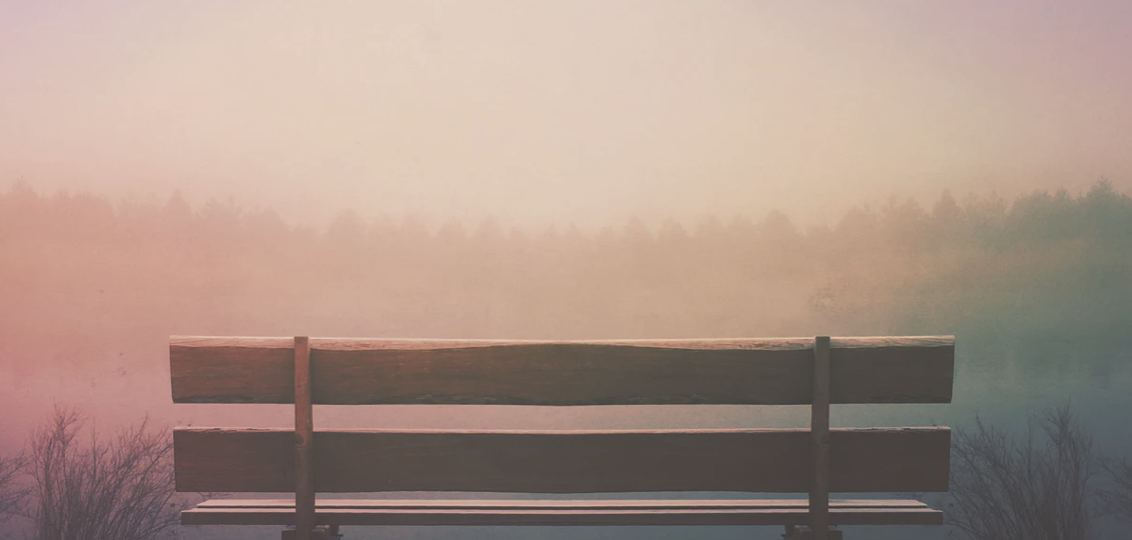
556 112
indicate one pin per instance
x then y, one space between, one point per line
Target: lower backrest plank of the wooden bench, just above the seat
874 460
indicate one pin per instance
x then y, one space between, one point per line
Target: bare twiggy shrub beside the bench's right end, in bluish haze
1004 490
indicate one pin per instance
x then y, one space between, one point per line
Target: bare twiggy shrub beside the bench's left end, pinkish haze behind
122 488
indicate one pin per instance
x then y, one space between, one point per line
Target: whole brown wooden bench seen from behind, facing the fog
814 372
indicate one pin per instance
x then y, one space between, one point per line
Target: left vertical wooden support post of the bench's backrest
304 443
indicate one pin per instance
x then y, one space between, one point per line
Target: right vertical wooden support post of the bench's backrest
820 435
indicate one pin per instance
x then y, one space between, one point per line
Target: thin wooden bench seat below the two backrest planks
750 512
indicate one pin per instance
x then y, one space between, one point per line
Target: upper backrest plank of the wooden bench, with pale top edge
596 373
